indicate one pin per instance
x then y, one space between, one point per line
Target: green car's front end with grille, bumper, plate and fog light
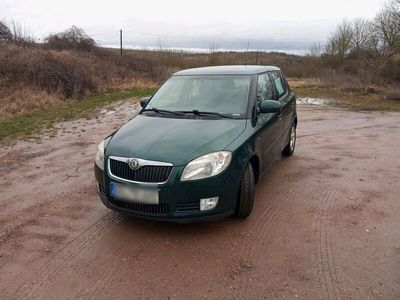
167 192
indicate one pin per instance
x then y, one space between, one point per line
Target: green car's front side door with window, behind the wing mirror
269 125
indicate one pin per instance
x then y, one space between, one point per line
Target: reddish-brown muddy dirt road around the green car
326 222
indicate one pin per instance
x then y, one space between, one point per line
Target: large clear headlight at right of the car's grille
207 166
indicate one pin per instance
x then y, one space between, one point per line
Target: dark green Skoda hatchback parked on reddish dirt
199 145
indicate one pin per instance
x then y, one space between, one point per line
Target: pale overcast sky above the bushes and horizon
275 24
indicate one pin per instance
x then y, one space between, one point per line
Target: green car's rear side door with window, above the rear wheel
287 99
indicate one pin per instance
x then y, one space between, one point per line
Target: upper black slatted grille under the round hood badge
144 174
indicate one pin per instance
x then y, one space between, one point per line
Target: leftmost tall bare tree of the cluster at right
339 43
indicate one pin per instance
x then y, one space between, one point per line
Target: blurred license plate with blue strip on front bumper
134 193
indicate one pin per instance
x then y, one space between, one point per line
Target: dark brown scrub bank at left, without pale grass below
73 73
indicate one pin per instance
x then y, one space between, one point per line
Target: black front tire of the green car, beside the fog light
246 193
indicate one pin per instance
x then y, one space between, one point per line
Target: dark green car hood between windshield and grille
176 141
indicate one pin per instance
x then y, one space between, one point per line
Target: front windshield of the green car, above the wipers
225 94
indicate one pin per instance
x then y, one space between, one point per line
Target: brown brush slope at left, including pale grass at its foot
35 78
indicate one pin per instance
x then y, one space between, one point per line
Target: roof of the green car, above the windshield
228 70
